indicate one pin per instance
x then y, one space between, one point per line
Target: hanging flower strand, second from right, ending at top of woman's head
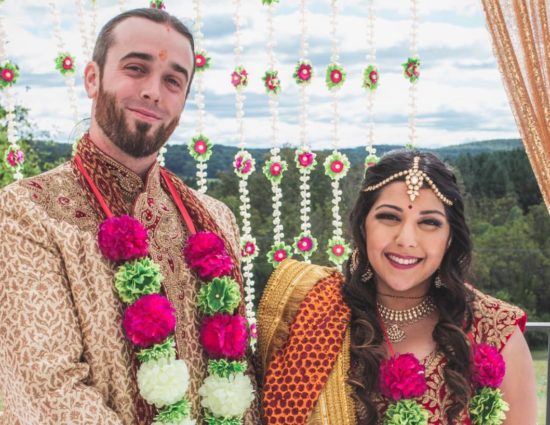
371 78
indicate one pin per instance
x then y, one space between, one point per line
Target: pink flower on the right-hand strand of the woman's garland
489 366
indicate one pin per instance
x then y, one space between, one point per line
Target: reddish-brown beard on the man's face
138 143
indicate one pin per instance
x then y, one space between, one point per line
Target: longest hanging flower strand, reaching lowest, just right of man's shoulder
244 166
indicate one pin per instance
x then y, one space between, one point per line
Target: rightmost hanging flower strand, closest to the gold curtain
411 71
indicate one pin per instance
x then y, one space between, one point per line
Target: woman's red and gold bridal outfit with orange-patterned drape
303 345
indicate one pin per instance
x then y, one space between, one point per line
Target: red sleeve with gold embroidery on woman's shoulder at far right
495 320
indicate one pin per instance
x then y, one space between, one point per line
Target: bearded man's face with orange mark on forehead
143 86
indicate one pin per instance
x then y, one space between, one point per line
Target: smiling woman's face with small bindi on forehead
406 241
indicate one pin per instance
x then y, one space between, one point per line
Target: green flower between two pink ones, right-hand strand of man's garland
221 295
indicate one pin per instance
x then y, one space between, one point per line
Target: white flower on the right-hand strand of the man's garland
227 397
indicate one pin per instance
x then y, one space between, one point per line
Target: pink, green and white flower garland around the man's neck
149 321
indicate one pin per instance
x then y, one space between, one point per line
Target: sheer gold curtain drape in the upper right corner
521 39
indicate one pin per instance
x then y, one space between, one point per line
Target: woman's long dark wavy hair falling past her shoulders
453 300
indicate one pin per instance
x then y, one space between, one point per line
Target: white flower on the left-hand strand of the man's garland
163 382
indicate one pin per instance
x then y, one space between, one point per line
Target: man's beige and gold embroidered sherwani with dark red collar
63 356
